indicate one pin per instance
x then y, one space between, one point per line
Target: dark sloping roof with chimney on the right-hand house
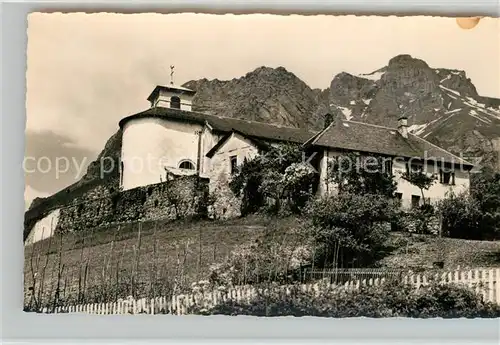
364 137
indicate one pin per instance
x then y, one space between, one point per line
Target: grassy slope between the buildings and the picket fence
109 251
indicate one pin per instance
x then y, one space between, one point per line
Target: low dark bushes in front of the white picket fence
388 300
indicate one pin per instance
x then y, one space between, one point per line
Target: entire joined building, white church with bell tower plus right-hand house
169 139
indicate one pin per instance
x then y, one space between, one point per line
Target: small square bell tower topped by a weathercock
171 95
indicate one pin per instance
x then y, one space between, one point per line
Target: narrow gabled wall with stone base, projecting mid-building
227 205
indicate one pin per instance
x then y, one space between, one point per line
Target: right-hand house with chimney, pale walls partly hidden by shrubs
399 152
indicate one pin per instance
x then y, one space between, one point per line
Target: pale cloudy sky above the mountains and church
87 71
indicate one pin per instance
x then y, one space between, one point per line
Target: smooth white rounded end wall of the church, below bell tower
151 144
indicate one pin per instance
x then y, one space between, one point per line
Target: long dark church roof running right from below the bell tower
251 129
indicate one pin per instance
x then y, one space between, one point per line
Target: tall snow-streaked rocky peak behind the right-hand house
442 105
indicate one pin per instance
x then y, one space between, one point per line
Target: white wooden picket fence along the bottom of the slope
483 281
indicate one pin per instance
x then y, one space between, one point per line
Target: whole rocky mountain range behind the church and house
442 106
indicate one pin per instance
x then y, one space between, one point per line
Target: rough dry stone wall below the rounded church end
103 205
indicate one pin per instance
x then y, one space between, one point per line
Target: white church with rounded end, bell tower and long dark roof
170 139
